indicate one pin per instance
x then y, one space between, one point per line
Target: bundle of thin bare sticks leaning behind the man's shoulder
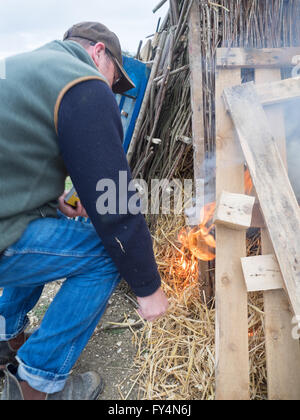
161 143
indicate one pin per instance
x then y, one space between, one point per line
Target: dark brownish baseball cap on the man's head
96 32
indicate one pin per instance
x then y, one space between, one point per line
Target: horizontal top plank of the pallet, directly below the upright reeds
256 58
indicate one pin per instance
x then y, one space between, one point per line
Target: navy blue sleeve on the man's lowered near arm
90 136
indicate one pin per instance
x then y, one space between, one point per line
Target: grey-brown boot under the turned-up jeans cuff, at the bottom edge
87 386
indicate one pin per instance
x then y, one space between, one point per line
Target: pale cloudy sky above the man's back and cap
28 24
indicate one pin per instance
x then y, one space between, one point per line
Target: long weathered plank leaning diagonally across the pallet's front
268 173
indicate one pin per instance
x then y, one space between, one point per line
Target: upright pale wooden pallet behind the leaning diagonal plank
282 351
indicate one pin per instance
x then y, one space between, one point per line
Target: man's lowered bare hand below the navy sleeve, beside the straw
153 306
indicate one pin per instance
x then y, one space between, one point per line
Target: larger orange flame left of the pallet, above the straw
199 240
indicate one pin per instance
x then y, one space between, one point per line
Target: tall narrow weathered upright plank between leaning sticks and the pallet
198 125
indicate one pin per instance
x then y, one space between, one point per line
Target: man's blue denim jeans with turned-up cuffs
52 249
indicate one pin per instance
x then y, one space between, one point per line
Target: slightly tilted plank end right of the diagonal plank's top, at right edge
277 92
